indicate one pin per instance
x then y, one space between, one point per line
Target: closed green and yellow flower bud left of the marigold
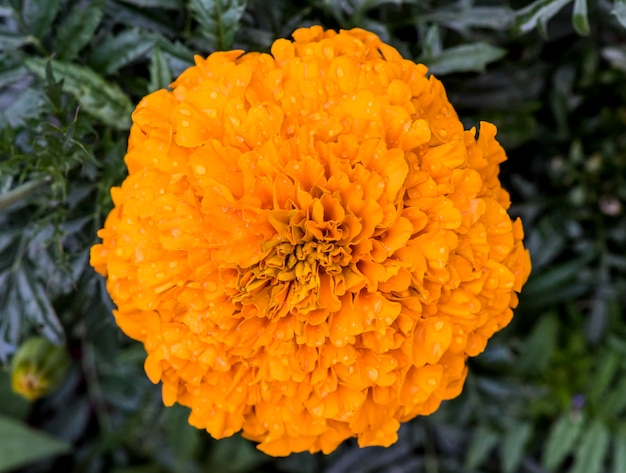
37 368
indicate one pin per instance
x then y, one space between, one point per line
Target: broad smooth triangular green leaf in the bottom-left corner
22 445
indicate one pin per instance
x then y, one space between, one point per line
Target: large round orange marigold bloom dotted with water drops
308 243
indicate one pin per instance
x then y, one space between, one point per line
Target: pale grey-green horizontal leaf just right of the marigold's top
464 58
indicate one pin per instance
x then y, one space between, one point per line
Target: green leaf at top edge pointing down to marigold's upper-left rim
219 20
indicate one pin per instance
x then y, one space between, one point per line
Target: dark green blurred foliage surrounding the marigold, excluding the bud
547 395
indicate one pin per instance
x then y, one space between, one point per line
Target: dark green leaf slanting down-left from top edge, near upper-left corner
77 30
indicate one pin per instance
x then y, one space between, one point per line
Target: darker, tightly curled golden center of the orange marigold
310 244
